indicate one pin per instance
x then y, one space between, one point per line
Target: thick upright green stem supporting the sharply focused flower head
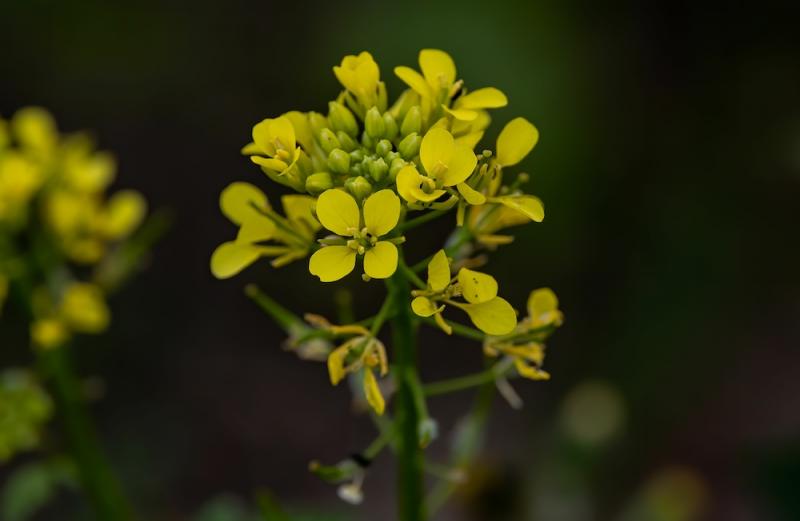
411 505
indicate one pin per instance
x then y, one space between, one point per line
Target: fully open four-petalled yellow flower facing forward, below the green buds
359 234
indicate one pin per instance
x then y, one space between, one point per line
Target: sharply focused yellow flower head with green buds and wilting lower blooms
366 174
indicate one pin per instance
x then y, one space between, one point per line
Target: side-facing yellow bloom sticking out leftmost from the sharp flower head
248 207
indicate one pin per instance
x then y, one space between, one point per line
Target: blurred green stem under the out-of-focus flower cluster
98 479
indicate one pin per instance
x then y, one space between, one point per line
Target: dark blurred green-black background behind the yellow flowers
670 167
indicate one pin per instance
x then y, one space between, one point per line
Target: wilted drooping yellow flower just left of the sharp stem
361 353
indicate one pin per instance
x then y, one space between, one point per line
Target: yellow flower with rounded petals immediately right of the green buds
446 163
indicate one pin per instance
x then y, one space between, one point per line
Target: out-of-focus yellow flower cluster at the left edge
56 223
